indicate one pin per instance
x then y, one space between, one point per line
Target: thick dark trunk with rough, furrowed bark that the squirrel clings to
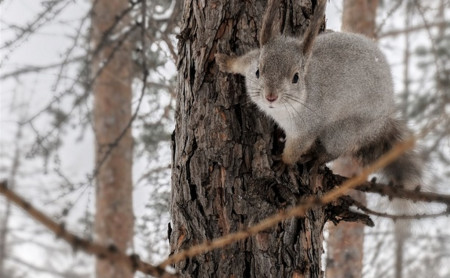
223 178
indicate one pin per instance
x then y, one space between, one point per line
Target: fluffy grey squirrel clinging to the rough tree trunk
332 94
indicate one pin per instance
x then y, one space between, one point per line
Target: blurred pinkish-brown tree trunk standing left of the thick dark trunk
112 114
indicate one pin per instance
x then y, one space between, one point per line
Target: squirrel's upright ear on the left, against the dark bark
269 30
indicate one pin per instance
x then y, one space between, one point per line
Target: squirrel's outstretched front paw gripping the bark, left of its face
236 64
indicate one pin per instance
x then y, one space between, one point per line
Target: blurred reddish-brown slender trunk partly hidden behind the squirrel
346 240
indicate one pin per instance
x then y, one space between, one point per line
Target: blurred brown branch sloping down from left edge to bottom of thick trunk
110 253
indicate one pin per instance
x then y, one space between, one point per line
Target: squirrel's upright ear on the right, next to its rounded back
313 28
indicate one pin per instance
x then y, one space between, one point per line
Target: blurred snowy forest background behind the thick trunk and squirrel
87 99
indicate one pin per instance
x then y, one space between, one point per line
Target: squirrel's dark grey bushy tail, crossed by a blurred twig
406 170
